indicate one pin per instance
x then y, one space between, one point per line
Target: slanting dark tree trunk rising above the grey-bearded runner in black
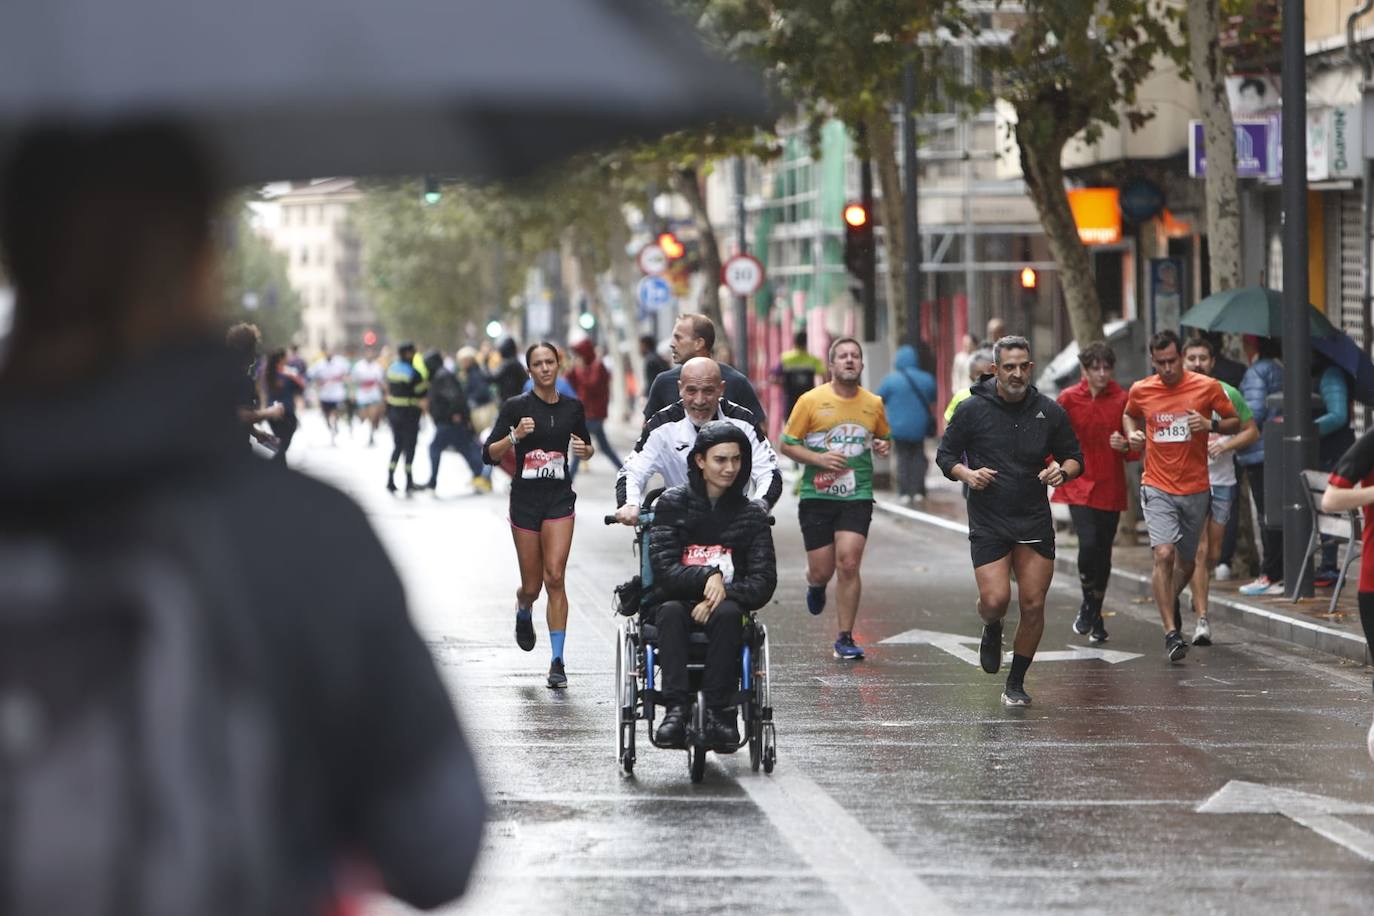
1041 164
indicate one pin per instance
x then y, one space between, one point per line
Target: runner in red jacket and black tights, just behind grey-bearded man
1096 499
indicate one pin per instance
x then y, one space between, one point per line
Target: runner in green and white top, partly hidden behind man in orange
1200 356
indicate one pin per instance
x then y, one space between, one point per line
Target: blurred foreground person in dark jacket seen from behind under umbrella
205 713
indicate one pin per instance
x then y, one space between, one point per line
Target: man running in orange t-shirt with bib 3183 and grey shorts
1177 410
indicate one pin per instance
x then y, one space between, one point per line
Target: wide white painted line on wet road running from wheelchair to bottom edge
839 849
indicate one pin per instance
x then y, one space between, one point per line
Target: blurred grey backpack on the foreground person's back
137 763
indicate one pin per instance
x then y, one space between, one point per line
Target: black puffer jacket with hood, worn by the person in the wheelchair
692 539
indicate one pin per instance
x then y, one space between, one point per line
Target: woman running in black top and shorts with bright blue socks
541 425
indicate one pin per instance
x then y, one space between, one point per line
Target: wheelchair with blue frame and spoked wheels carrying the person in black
637 672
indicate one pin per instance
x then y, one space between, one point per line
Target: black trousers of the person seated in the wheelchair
725 630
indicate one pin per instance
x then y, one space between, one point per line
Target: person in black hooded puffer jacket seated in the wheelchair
712 556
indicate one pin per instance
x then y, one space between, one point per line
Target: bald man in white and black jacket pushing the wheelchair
668 436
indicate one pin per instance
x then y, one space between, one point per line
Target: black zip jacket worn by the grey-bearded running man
1016 440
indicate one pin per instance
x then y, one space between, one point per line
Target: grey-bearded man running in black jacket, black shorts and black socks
1008 443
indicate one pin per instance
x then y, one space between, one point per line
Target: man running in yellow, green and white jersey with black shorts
833 432
